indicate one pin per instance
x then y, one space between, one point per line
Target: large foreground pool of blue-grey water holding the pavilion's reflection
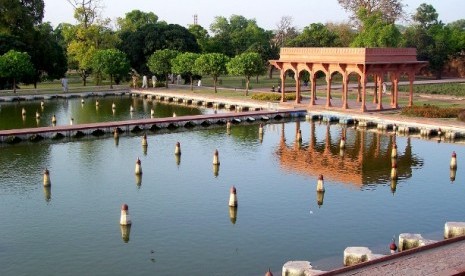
179 207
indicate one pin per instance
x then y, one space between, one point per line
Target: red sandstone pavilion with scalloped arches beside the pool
379 63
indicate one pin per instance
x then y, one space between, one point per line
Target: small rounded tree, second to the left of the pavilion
213 64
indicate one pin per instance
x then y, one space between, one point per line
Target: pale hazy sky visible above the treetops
266 12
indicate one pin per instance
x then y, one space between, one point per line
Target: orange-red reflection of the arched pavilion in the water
365 161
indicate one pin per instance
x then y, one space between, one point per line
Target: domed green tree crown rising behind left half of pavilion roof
315 35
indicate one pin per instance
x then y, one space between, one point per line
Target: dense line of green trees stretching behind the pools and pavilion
230 45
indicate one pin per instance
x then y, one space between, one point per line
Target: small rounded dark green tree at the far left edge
15 66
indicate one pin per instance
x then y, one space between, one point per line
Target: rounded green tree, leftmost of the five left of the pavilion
111 62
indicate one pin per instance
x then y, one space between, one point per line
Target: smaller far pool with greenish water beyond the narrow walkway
87 111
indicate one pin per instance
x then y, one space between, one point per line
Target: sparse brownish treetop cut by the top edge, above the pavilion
390 10
